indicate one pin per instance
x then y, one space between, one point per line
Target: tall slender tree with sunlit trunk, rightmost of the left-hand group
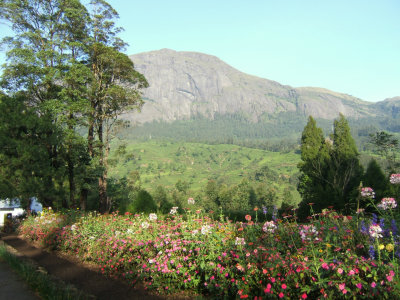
114 87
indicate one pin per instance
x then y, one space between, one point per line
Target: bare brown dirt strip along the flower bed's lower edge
84 277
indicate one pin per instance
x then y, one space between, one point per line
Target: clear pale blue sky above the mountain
348 46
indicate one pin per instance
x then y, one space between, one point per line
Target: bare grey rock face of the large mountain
187 84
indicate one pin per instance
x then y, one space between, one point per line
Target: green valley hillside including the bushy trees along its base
210 173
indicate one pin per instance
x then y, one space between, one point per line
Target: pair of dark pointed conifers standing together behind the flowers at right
330 169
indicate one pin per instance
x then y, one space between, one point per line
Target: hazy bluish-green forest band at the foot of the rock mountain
278 133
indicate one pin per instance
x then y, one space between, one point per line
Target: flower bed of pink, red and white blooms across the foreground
264 257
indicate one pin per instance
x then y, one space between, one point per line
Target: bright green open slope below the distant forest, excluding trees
165 163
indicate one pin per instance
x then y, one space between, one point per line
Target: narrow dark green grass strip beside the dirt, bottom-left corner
45 286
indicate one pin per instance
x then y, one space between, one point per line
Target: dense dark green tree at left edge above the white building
24 160
